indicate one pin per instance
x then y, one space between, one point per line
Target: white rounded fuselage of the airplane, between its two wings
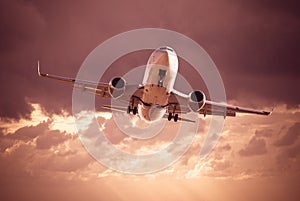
158 82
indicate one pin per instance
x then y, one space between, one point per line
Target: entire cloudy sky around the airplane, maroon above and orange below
255 46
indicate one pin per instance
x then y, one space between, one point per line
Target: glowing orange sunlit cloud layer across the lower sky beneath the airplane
54 157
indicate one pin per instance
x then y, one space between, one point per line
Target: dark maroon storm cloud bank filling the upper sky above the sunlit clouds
254 44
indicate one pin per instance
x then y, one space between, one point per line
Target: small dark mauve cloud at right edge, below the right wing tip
290 137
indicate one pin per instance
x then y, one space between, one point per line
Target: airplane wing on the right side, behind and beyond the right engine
181 102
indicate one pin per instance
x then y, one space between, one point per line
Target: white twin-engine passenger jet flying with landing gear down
156 98
